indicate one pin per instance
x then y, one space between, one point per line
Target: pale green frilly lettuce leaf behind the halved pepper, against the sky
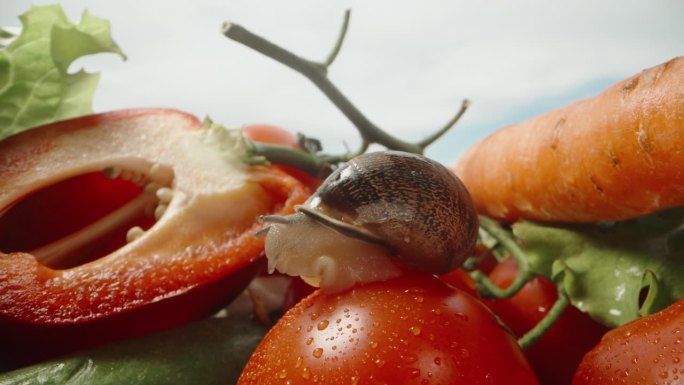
35 86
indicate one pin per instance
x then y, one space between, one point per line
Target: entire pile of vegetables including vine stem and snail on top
181 251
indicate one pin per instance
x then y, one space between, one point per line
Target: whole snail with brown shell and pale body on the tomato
373 216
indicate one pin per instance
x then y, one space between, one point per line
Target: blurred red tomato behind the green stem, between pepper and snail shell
266 133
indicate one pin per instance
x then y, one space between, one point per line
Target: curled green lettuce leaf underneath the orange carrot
614 272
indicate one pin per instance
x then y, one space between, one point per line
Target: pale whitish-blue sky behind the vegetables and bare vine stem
406 64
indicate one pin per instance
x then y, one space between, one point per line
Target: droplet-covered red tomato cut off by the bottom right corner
648 351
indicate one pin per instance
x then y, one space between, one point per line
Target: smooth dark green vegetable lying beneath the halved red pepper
209 351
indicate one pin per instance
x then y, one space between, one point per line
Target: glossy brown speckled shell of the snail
410 204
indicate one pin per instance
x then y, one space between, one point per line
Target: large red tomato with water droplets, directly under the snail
413 329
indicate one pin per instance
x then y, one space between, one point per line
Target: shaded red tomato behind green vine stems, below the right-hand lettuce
558 353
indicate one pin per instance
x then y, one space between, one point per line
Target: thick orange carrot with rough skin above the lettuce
615 156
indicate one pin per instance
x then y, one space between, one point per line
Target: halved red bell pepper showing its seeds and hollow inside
200 253
